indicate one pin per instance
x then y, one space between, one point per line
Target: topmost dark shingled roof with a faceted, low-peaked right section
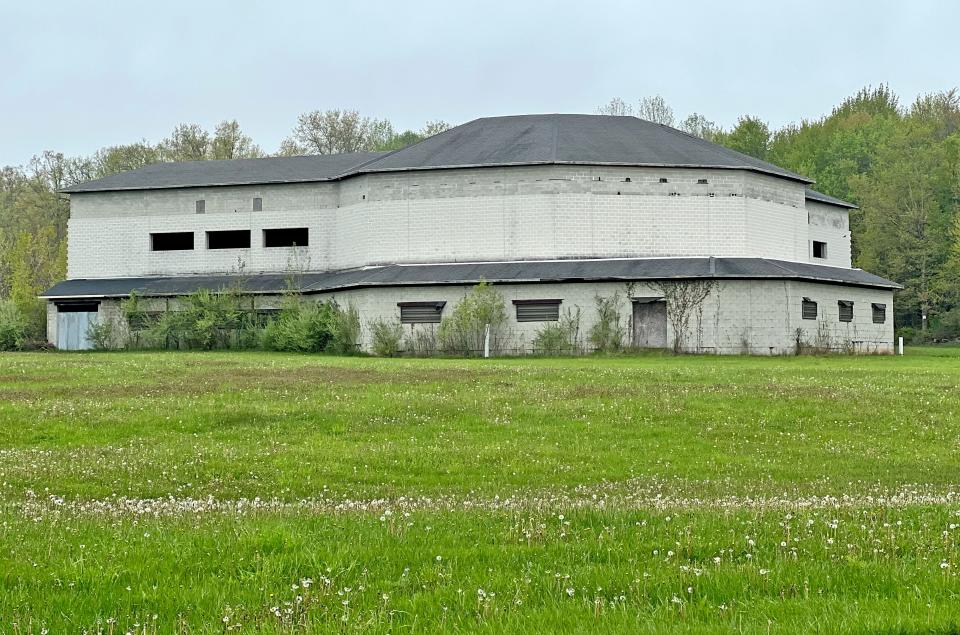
487 142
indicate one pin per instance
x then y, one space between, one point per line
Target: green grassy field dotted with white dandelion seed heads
251 492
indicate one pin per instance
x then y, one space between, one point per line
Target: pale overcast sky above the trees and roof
81 75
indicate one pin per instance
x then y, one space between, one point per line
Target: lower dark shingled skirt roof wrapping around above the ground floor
471 273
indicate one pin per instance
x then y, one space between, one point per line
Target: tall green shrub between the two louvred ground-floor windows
463 332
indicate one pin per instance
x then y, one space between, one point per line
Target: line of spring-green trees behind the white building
899 164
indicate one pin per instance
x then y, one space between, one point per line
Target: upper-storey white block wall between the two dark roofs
514 213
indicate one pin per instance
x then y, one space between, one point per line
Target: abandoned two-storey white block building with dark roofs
554 210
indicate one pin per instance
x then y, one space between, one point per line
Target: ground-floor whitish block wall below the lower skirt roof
760 317
